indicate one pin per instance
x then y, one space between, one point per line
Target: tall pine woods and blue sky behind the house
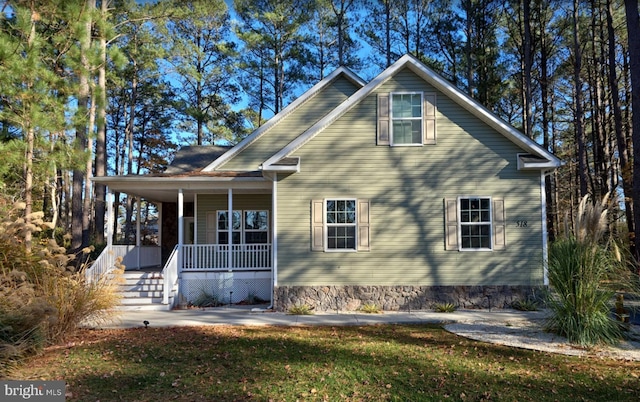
91 87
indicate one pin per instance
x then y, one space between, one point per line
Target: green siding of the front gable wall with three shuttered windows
406 187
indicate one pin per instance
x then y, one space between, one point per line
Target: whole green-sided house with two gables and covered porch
399 192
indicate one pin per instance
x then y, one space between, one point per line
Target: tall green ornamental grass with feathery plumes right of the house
583 266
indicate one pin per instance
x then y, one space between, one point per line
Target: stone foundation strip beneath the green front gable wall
396 298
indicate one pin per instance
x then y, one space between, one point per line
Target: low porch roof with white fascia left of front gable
163 187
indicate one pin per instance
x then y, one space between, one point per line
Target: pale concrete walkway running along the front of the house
259 316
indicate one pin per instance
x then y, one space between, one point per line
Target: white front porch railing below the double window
210 257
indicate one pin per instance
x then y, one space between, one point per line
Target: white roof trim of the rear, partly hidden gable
259 132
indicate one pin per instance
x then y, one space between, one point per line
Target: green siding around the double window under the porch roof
210 203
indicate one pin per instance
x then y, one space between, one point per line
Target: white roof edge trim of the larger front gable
549 161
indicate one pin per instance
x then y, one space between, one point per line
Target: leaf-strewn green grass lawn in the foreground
369 363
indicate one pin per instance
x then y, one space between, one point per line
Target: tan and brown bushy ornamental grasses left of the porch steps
43 295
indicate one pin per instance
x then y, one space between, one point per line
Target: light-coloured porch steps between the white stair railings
143 291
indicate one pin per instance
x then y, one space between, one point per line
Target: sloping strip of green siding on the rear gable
292 126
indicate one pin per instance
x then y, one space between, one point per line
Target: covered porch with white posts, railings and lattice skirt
198 249
